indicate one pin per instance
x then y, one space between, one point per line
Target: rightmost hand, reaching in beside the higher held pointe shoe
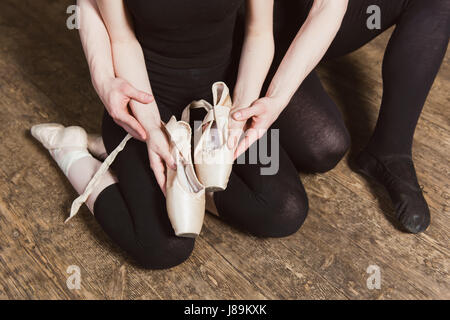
256 120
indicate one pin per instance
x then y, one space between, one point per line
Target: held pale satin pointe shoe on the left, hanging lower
185 195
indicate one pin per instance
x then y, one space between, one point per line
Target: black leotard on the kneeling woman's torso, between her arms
187 45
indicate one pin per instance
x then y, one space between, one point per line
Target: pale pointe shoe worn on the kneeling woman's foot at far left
66 145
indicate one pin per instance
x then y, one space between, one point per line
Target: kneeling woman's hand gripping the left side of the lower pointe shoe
159 154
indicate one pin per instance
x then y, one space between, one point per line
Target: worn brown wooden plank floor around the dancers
44 78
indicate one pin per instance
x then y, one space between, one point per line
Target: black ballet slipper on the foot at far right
398 176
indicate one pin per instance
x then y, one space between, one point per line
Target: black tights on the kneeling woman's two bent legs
133 213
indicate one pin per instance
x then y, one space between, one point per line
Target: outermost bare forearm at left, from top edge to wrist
96 44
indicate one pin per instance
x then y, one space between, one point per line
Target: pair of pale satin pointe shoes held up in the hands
213 160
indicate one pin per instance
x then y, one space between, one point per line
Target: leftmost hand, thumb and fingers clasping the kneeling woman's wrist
116 95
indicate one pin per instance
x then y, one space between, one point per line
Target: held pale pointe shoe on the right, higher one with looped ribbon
212 157
